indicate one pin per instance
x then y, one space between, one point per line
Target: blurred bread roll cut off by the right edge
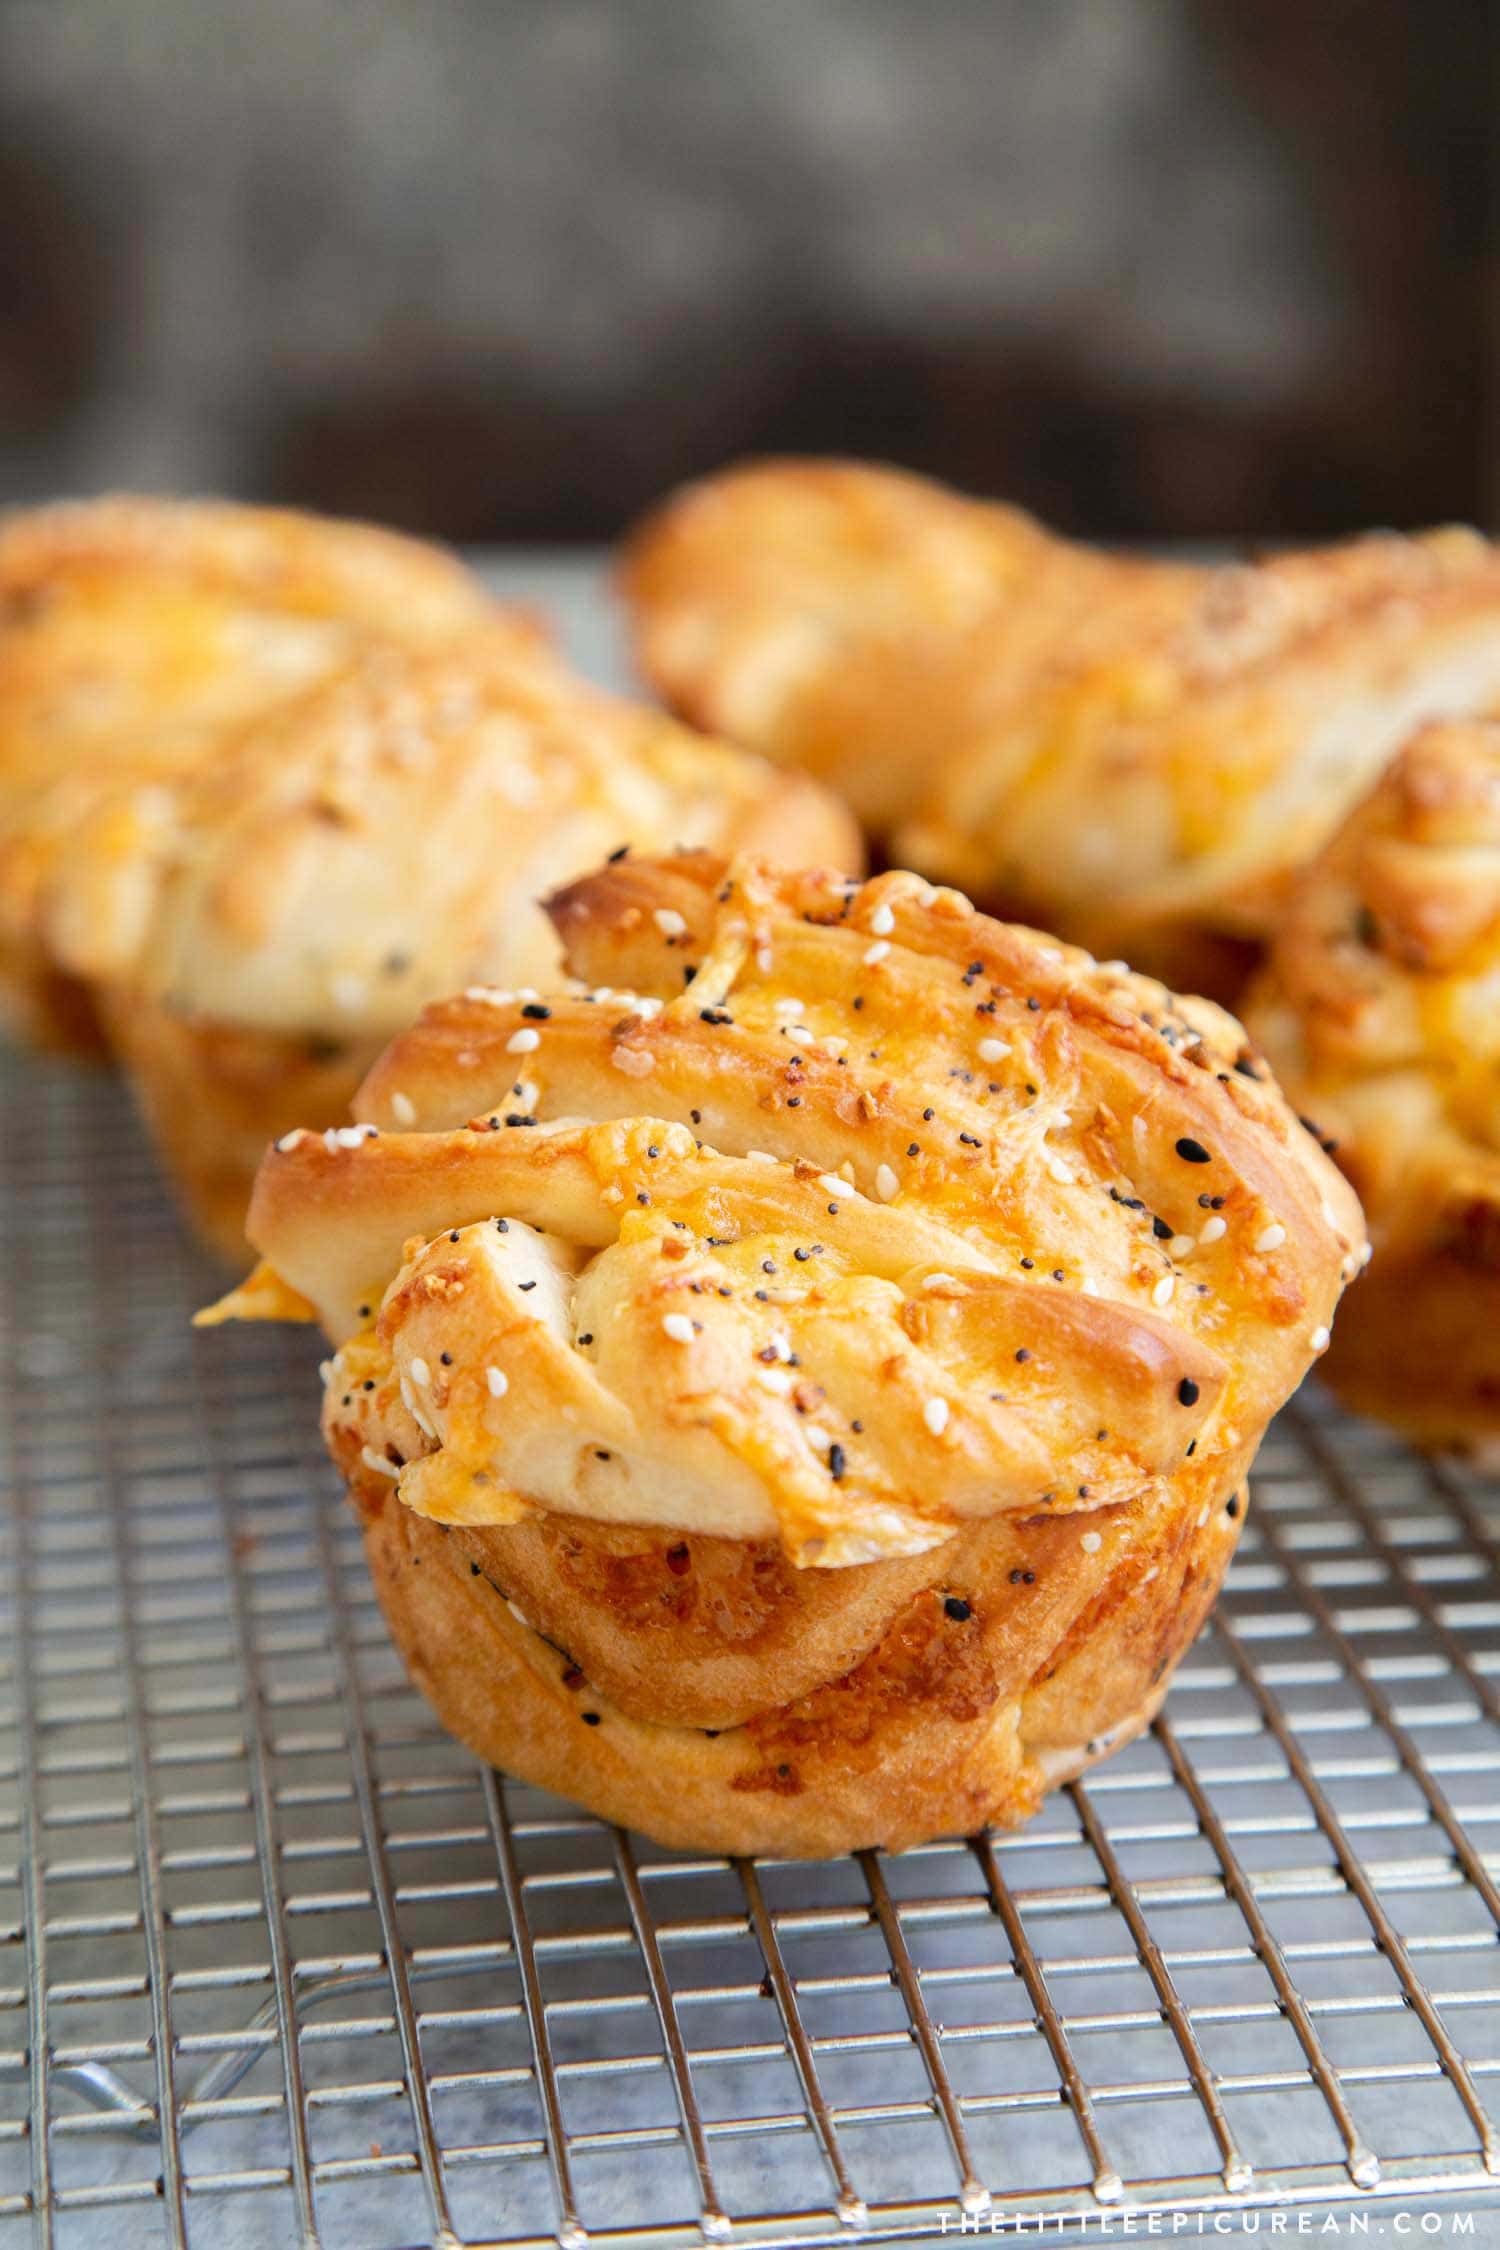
1380 1009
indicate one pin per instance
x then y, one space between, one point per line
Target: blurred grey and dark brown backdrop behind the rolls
507 269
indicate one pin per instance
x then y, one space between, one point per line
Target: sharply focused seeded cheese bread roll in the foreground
799 1385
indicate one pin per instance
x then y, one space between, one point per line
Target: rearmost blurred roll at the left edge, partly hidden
134 633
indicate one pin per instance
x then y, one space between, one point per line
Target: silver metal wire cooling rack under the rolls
282 1965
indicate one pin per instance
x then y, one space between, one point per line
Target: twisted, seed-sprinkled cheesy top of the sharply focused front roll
833 1216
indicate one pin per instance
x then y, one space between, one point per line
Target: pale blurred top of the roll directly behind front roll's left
392 834
